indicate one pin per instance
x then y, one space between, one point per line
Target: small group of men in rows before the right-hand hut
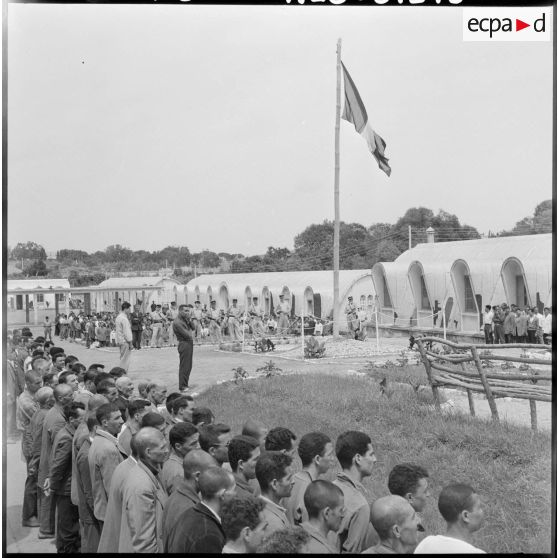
511 324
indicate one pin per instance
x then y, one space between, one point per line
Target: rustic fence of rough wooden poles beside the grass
447 366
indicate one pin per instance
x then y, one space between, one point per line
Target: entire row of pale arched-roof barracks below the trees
433 285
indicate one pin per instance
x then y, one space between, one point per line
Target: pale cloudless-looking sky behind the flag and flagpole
212 127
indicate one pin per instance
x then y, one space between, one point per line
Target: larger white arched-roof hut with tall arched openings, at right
457 279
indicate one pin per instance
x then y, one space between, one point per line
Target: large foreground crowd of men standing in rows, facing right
113 470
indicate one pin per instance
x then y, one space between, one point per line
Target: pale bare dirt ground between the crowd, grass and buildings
212 366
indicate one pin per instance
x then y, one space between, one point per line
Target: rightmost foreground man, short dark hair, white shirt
461 507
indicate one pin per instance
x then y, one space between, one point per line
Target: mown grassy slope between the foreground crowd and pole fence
509 466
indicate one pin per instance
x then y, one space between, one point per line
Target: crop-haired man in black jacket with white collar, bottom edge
198 529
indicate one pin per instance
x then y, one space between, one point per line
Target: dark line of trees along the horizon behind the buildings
360 247
